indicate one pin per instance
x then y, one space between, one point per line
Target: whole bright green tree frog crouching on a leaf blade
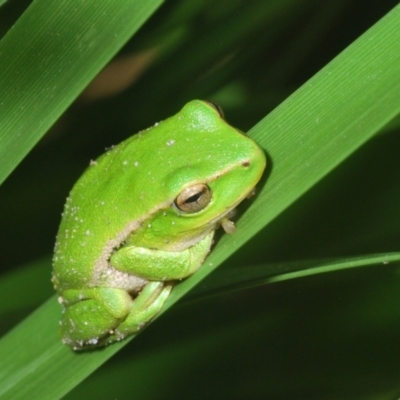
142 217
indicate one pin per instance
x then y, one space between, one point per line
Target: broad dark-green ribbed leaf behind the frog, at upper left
61 47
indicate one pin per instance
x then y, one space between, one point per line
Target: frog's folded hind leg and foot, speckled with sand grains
99 316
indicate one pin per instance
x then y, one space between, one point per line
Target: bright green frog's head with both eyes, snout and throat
205 168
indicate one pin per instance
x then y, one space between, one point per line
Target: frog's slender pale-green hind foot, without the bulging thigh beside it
145 307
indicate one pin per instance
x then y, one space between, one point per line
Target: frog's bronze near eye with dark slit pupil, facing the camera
193 199
